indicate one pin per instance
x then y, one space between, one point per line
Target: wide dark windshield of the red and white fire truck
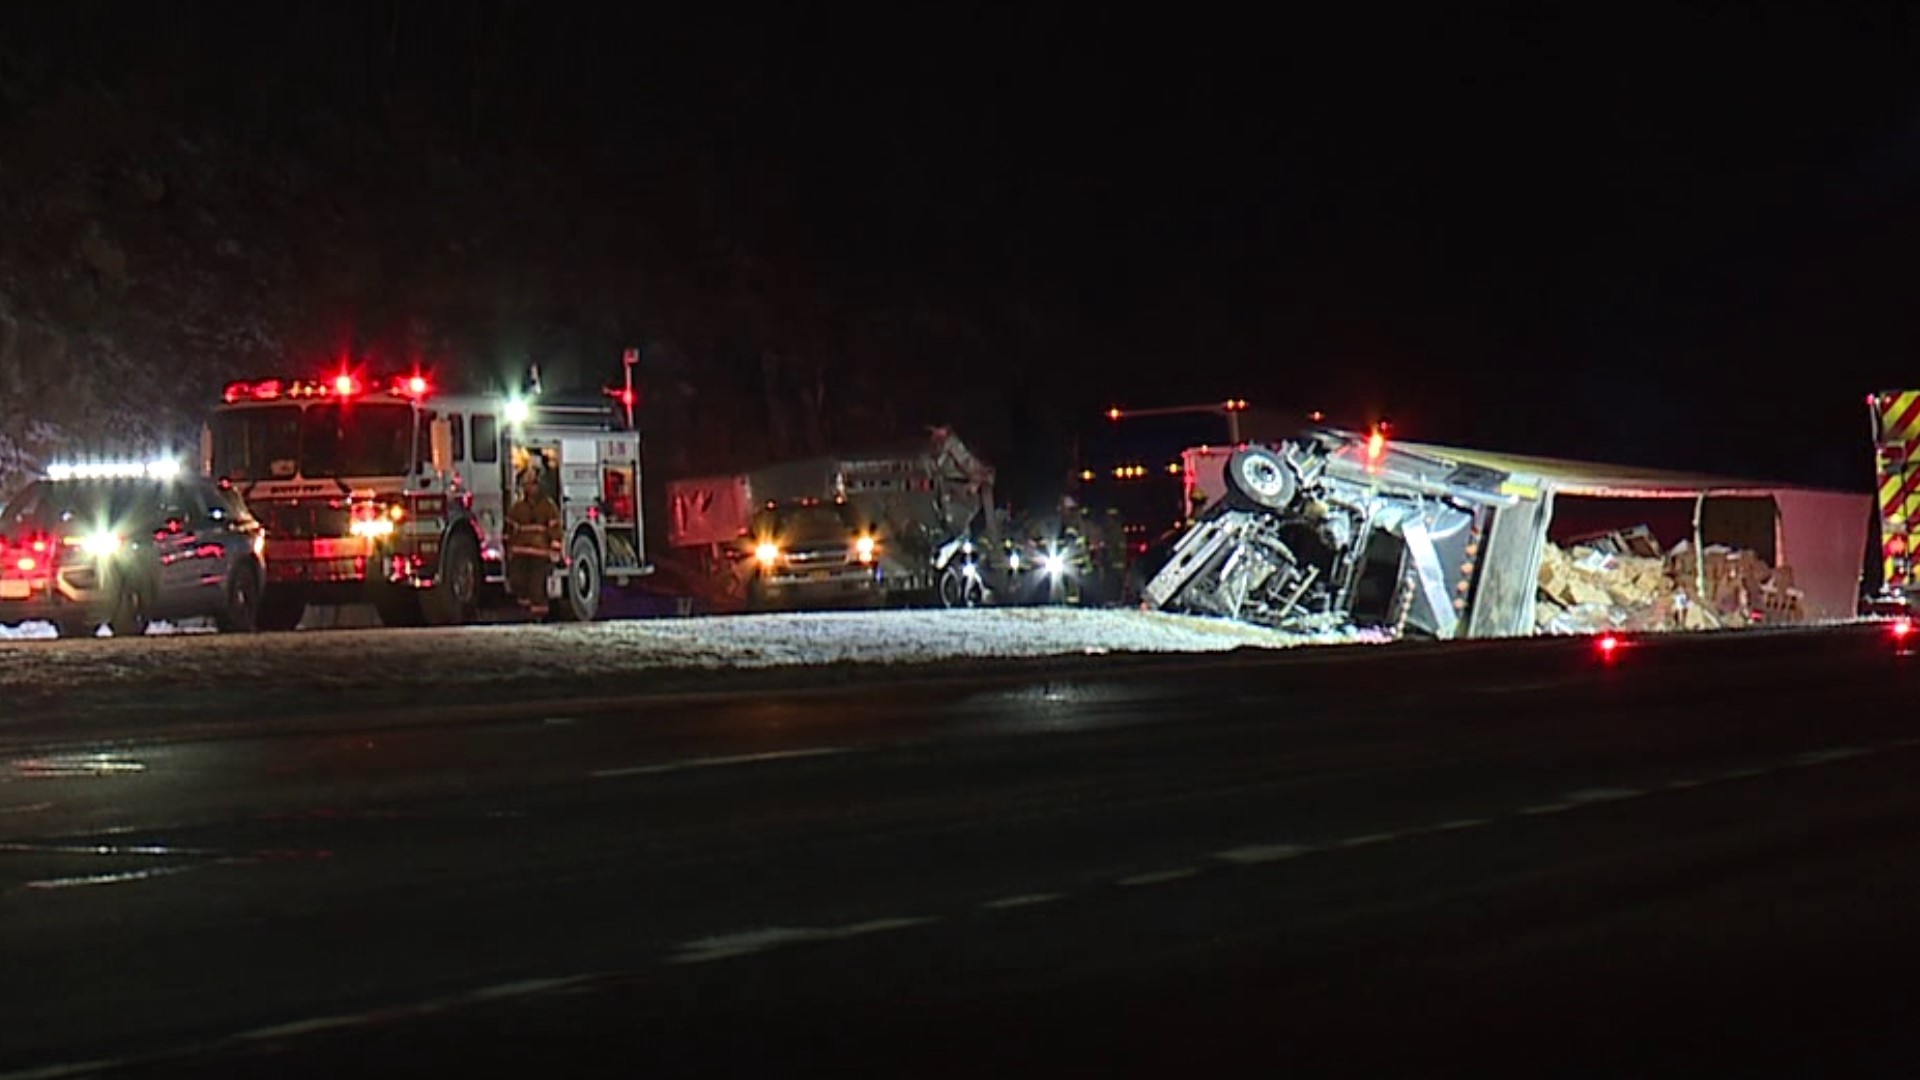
325 439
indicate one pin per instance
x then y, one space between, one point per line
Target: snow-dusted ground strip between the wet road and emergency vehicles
602 654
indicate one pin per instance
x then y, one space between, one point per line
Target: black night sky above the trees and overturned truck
1683 241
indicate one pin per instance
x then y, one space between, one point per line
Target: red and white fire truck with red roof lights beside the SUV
395 493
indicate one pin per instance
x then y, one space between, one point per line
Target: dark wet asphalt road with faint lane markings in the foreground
1428 860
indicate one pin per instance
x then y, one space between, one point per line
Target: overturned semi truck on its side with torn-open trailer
1333 531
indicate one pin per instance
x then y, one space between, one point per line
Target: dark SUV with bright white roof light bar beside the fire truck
82 552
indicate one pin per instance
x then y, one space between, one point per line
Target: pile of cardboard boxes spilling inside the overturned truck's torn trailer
1620 585
